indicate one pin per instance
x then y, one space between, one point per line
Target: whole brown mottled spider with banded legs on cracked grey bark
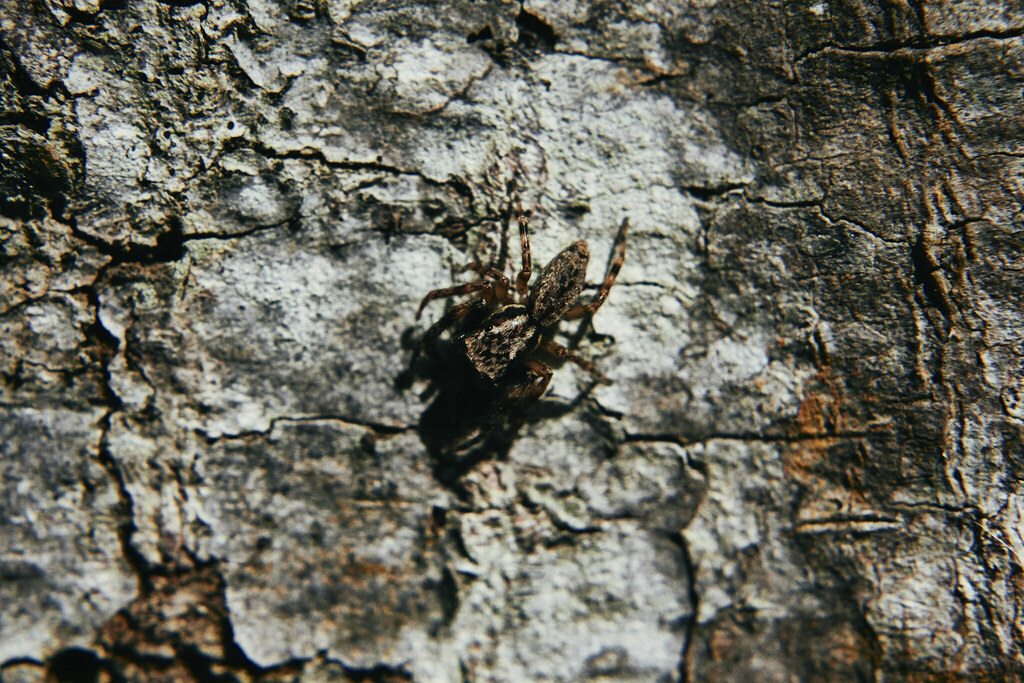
514 326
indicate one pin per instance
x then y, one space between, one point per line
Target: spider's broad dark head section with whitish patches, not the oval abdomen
503 338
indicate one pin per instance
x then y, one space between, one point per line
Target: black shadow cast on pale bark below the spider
468 420
